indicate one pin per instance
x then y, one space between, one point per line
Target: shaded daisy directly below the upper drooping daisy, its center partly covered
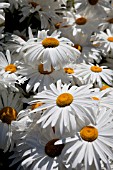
38 78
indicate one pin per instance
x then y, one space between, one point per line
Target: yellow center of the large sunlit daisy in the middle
64 99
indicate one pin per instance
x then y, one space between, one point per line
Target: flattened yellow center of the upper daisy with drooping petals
50 42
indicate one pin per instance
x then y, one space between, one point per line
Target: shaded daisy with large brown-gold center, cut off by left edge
10 105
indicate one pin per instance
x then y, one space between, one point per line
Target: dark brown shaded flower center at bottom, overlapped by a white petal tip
53 150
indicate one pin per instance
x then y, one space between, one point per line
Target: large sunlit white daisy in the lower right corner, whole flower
92 143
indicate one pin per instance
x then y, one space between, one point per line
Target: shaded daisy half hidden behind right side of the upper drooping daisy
82 42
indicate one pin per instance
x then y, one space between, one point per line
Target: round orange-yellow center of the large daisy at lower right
89 133
